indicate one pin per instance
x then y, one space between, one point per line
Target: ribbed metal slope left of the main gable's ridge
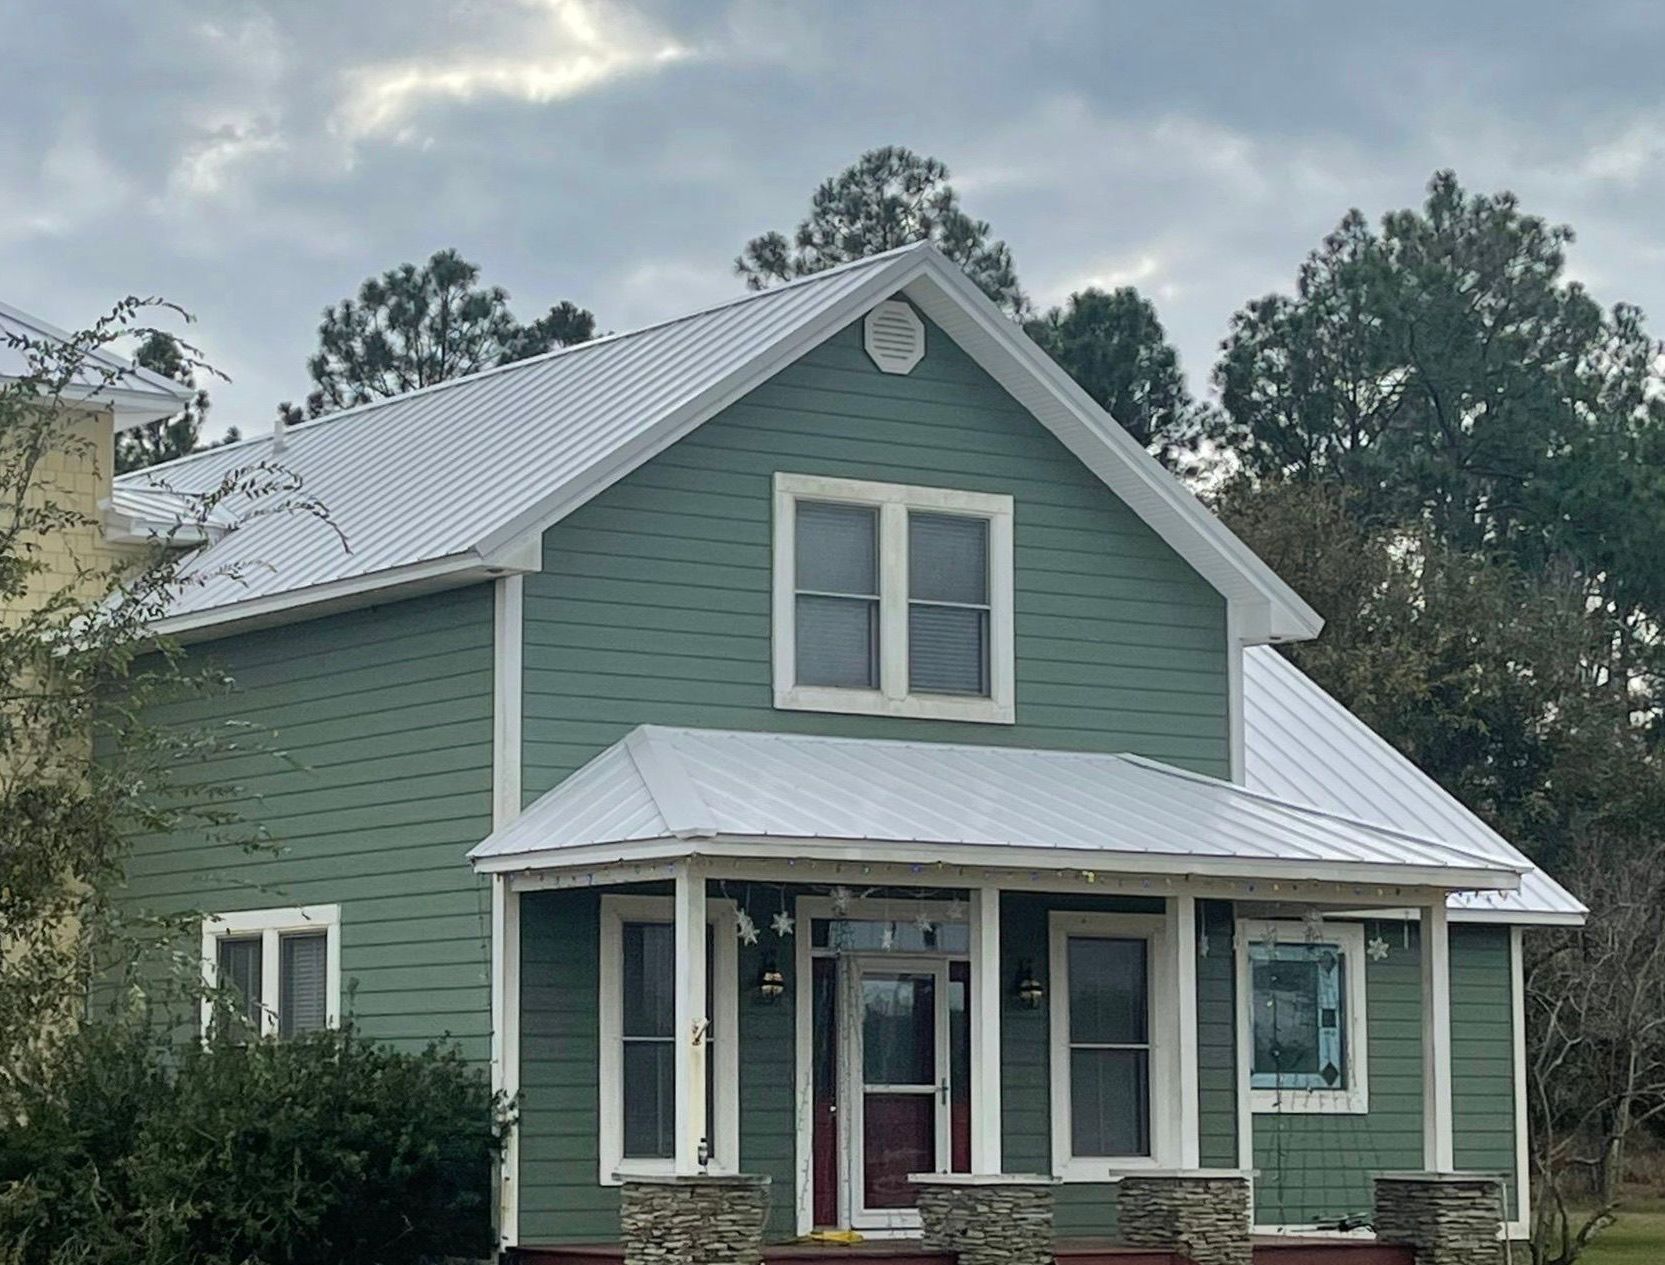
432 474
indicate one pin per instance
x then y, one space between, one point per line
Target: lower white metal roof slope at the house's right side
1305 747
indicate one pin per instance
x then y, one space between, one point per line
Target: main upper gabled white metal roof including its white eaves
460 479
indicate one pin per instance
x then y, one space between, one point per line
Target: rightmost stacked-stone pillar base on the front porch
1449 1219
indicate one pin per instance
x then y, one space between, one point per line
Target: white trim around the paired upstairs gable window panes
893 504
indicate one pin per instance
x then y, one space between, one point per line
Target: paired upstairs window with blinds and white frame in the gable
893 600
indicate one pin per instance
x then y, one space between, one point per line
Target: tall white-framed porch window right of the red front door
1113 1043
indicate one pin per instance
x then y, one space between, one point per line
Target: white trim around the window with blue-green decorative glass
1356 1098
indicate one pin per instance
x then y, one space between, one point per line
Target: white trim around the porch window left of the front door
725 1000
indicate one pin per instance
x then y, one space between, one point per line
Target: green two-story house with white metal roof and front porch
838 622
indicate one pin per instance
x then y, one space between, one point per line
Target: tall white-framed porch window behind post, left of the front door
639 1038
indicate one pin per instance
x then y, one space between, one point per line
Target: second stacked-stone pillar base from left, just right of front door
988 1219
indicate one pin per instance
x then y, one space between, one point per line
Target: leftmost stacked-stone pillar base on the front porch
693 1221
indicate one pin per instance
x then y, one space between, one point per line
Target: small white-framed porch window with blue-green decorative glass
1303 990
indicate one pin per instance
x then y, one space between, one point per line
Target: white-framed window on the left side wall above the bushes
277 970
